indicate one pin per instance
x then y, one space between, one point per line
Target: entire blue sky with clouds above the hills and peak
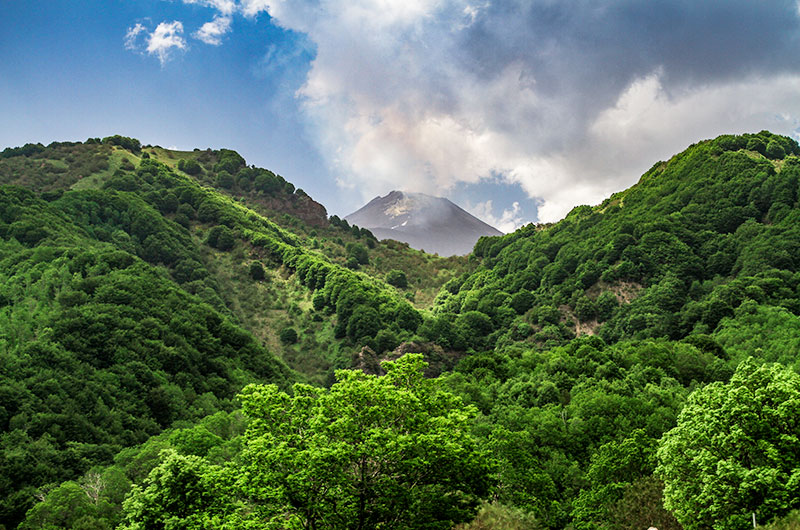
517 110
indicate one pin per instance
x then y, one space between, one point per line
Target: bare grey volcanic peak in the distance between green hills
424 222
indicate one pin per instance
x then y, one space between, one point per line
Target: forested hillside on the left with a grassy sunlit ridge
133 297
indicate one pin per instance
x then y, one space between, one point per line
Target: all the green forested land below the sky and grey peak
190 342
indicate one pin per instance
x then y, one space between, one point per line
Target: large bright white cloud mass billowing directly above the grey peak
391 103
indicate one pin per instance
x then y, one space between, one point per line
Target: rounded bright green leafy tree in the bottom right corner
734 450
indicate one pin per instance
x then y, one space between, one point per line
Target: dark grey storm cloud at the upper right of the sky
588 52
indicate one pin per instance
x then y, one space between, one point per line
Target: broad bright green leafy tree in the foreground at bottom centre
371 452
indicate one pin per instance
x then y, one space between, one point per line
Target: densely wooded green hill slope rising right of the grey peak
709 215
